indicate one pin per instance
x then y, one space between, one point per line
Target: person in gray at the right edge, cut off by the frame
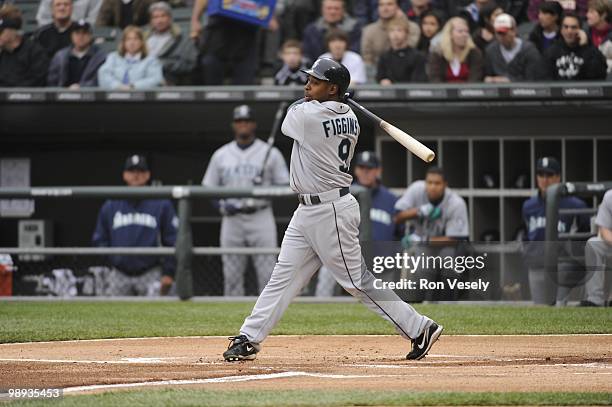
598 257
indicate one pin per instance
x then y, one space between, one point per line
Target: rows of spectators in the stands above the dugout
380 41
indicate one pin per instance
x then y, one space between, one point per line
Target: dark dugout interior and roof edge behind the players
487 137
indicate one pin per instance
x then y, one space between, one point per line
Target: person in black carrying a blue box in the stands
225 44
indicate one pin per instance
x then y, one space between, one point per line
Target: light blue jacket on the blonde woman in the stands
146 73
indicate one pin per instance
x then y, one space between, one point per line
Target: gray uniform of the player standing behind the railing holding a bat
233 166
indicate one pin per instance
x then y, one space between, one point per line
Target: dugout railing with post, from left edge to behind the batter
184 250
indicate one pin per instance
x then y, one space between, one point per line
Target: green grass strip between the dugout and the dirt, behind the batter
56 320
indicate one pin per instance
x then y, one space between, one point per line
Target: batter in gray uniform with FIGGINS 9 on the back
324 228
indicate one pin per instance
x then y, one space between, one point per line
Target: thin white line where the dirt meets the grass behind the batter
146 338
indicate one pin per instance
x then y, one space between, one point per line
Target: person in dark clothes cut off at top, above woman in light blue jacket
121 13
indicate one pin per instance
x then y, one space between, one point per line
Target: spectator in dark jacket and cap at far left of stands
23 63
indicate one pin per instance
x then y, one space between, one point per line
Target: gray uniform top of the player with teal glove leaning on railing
454 219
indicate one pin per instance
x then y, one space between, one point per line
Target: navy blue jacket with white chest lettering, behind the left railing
144 223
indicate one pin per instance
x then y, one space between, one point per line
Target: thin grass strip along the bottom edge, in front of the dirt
191 397
